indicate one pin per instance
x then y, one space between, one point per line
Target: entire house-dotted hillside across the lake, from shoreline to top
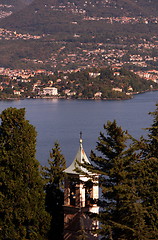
103 51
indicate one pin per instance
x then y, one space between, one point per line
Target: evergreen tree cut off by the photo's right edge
148 180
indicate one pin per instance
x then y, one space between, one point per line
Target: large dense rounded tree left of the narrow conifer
23 214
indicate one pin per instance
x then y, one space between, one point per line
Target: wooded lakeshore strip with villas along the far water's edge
103 83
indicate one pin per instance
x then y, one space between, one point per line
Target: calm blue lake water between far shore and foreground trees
62 120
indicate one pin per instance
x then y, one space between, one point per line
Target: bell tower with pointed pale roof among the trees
81 194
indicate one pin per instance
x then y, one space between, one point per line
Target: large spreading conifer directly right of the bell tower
122 214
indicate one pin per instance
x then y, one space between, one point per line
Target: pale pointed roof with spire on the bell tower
80 157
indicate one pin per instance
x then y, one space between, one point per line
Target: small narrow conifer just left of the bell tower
54 178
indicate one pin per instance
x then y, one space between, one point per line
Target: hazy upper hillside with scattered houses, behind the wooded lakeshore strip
61 35
